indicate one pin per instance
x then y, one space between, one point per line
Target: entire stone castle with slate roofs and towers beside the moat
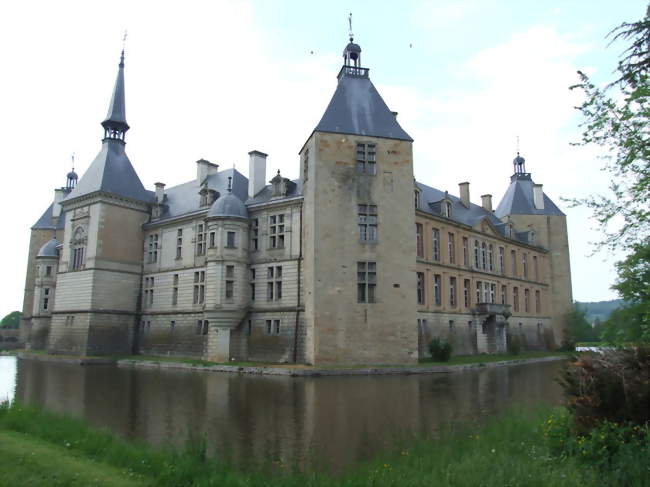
354 262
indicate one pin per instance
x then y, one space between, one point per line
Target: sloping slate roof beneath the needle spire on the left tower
111 172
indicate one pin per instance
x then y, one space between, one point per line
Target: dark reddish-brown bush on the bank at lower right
610 386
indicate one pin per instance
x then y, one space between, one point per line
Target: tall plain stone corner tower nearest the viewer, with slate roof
359 221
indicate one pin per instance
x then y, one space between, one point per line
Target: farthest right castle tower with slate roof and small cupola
525 205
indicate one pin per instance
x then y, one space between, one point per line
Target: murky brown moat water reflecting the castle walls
326 420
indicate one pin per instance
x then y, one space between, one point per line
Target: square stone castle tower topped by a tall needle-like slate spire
98 283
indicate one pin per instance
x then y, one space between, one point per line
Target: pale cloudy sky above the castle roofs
217 79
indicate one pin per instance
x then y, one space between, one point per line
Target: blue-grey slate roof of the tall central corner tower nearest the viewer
357 109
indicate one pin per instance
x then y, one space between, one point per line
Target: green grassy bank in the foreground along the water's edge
42 449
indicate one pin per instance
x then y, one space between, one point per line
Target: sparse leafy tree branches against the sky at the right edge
616 119
